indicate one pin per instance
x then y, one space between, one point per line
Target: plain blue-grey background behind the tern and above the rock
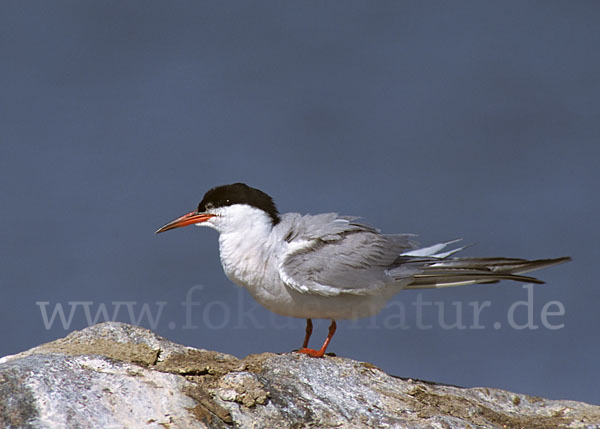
447 119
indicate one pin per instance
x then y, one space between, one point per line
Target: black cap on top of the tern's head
239 193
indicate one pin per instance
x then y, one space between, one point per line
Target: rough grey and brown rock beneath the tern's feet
114 375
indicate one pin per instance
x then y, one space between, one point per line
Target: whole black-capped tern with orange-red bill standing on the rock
327 266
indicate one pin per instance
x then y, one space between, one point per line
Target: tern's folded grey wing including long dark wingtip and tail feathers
332 255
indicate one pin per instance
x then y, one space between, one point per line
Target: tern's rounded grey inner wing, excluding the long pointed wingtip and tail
331 255
